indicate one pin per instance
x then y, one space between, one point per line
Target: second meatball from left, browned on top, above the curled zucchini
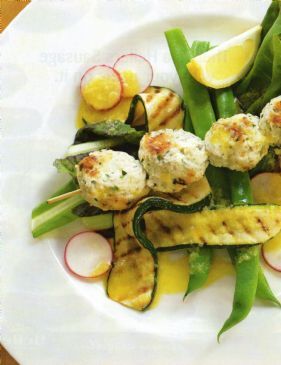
172 159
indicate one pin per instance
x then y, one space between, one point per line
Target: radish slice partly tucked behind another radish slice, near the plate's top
136 72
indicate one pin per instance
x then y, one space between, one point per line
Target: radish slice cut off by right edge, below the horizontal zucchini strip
271 253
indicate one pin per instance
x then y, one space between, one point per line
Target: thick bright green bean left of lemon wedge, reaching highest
195 95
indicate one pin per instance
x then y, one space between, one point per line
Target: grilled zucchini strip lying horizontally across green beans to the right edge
229 226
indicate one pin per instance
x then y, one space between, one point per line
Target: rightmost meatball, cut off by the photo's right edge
270 122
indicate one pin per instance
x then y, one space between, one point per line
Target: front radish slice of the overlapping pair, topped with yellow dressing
101 87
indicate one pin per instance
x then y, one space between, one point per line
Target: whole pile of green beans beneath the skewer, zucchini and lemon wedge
228 187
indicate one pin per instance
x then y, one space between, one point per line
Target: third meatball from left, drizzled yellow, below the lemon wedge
236 142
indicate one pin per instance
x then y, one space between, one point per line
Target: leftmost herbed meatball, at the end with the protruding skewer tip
111 180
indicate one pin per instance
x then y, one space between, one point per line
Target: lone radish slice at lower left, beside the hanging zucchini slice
88 255
